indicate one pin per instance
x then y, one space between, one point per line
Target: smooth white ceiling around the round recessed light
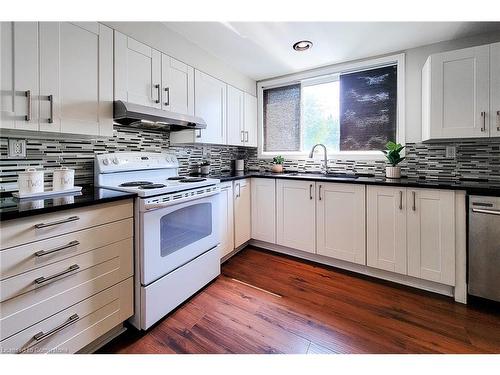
264 49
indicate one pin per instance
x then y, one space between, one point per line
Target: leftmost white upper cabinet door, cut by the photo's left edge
19 80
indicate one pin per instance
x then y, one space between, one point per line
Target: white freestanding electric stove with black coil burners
176 229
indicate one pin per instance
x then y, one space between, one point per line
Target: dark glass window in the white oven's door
184 227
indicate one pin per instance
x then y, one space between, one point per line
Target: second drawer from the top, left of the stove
19 259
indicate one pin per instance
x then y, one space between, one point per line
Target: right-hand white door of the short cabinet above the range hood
177 86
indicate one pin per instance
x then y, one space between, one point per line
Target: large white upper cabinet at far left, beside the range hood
42 84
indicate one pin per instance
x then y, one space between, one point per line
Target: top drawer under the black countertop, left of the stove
39 227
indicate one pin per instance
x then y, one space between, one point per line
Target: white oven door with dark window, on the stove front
172 236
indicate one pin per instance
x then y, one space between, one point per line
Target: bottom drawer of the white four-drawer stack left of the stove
77 326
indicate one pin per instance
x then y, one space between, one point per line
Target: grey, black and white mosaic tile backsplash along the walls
474 159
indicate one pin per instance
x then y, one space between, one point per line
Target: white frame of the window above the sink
329 73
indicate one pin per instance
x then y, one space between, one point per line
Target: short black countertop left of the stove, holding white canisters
13 208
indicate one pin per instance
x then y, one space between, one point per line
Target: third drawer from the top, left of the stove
110 265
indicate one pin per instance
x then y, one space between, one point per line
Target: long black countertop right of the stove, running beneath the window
481 187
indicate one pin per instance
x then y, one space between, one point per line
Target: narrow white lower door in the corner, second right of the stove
242 212
